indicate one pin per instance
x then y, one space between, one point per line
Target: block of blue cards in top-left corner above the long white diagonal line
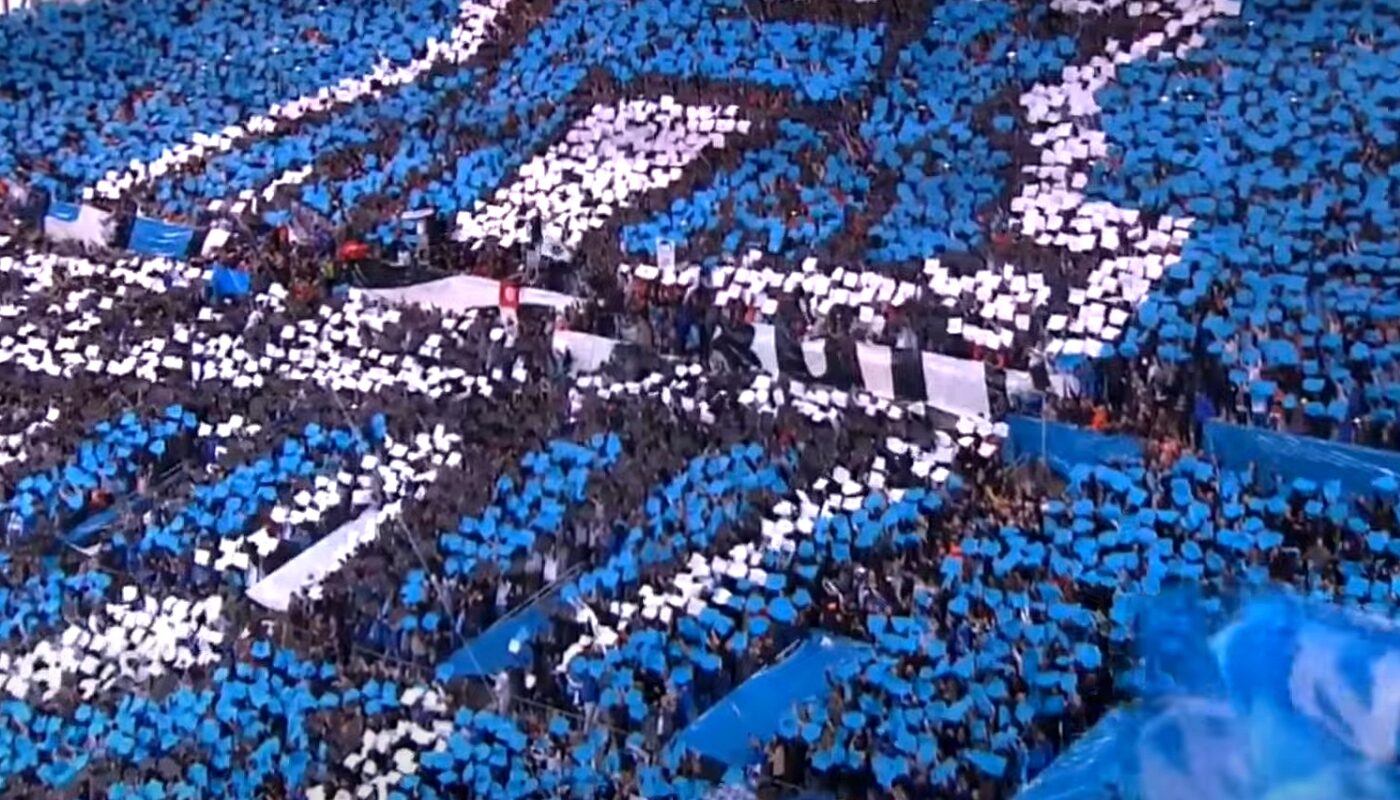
96 88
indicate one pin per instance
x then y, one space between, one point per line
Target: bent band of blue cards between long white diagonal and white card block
449 146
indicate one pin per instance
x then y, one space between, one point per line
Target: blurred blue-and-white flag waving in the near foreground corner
1290 700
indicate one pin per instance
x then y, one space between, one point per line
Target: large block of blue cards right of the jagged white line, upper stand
1282 294
